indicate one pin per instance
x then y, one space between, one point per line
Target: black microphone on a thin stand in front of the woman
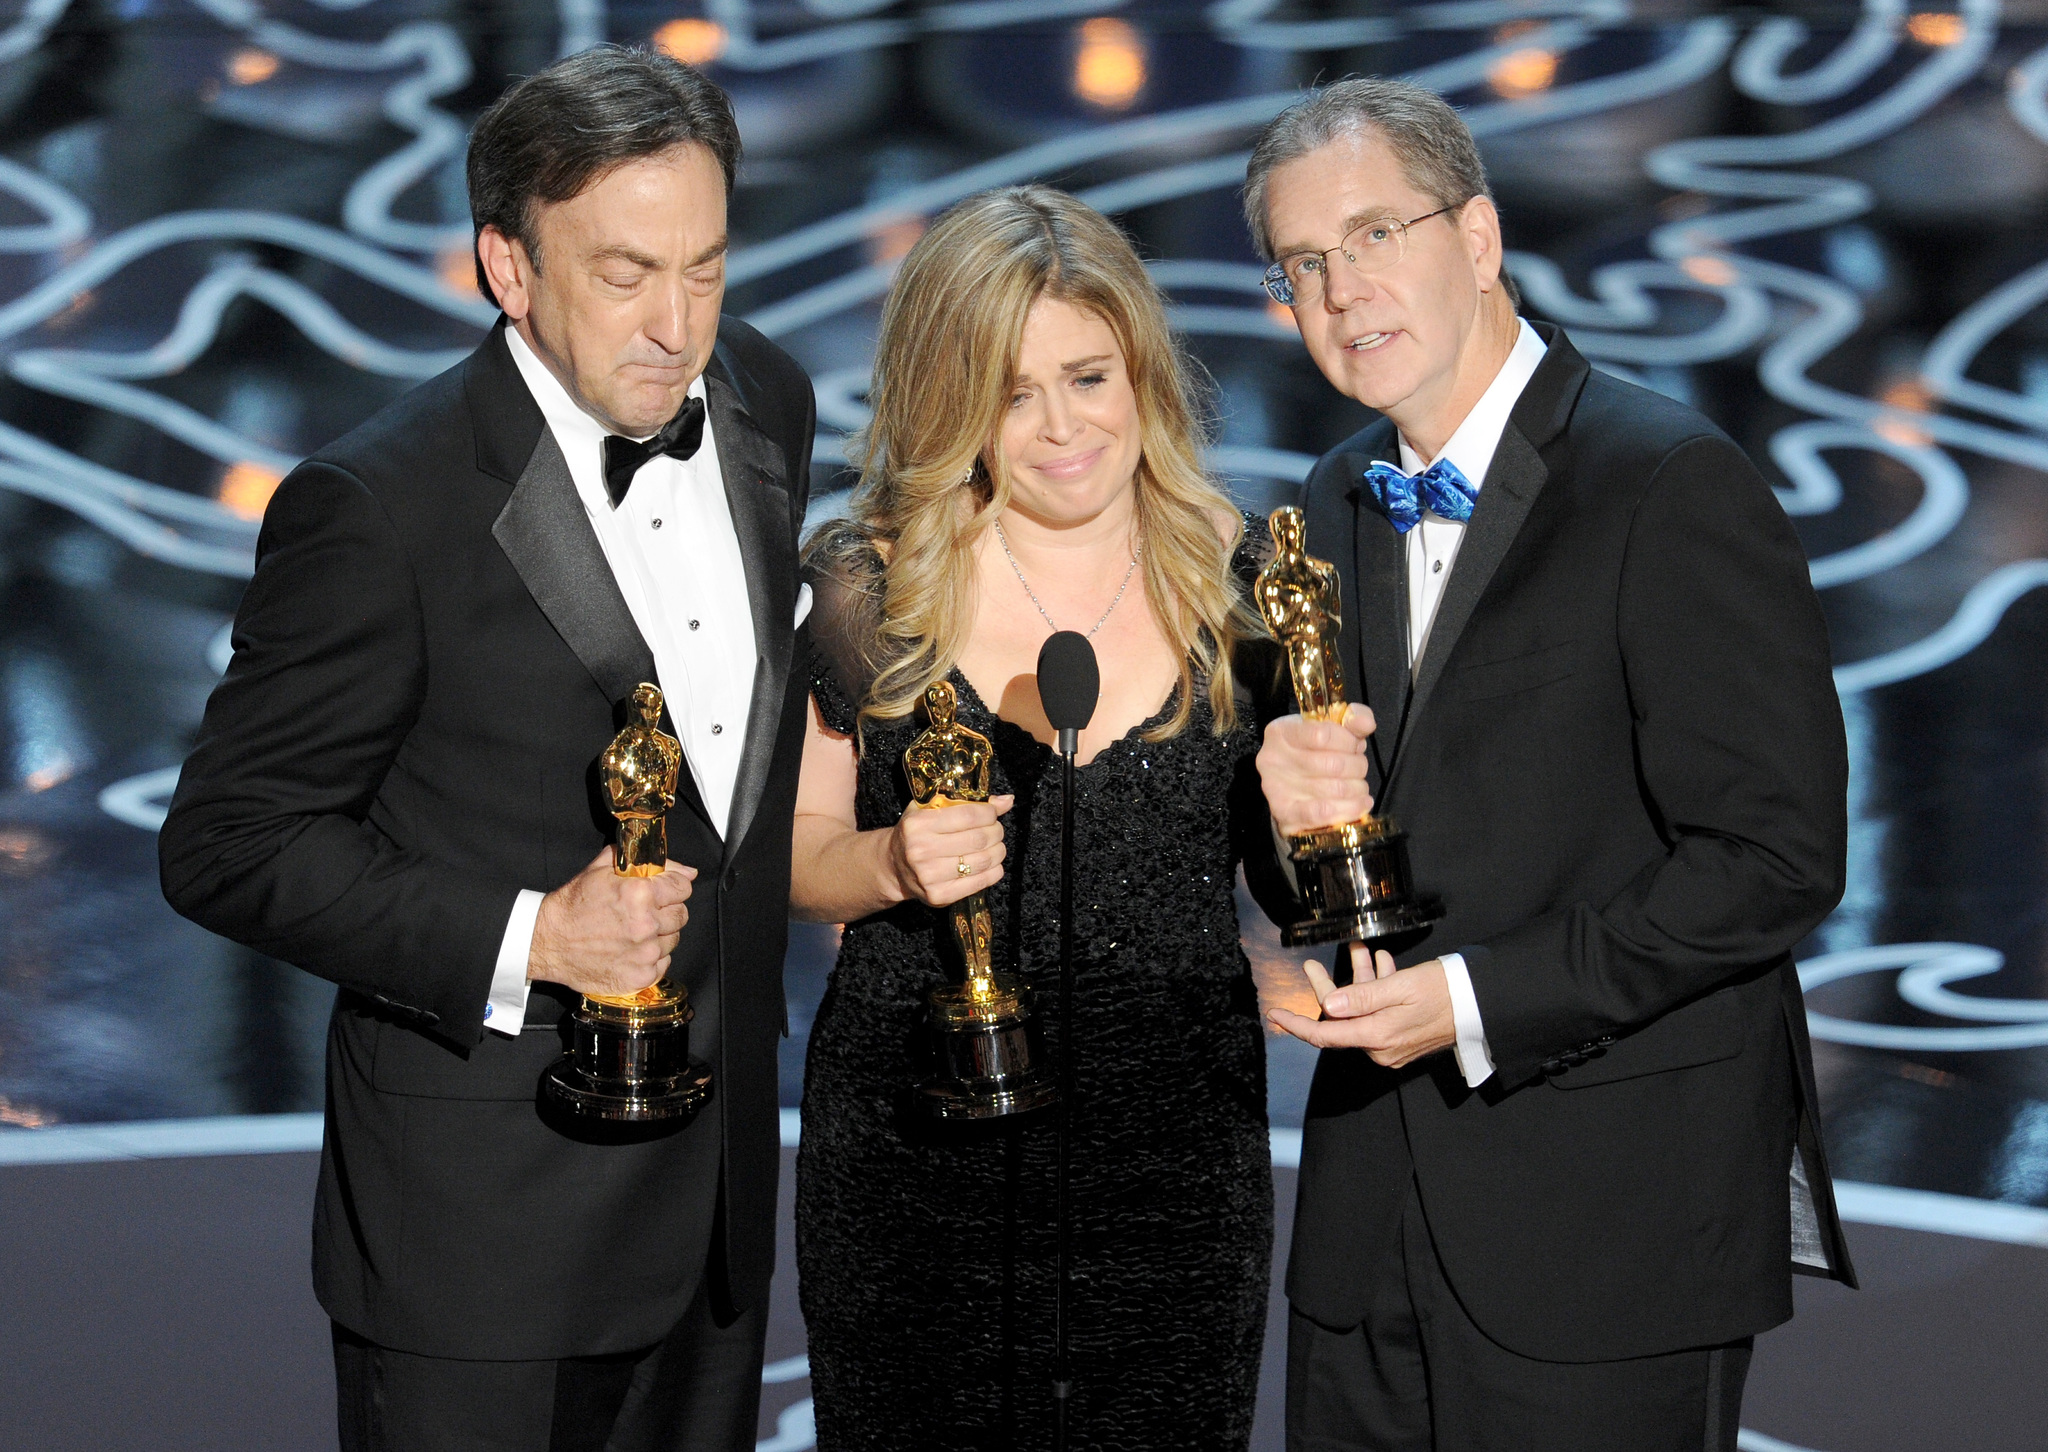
1068 689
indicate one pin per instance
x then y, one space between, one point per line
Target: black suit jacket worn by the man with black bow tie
429 663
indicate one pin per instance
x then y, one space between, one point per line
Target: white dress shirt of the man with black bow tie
677 560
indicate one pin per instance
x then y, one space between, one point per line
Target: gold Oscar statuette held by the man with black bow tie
630 1056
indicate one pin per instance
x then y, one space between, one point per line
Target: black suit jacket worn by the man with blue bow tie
1621 765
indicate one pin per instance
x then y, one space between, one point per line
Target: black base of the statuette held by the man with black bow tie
630 1062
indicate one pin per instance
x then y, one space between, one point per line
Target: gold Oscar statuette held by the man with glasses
1355 876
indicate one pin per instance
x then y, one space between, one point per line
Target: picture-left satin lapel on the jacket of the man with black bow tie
548 538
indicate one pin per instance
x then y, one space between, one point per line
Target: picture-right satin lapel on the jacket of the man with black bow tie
757 493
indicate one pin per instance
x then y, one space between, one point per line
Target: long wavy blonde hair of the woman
933 474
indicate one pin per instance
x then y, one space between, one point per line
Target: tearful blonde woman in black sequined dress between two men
1033 466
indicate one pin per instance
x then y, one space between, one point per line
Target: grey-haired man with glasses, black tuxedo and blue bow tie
1601 703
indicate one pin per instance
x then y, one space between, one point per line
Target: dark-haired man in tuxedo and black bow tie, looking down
394 789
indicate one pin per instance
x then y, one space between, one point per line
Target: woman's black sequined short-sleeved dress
925 1250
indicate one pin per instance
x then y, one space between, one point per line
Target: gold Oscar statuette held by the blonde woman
988 1039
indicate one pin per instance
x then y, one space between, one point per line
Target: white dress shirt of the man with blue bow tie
1433 550
